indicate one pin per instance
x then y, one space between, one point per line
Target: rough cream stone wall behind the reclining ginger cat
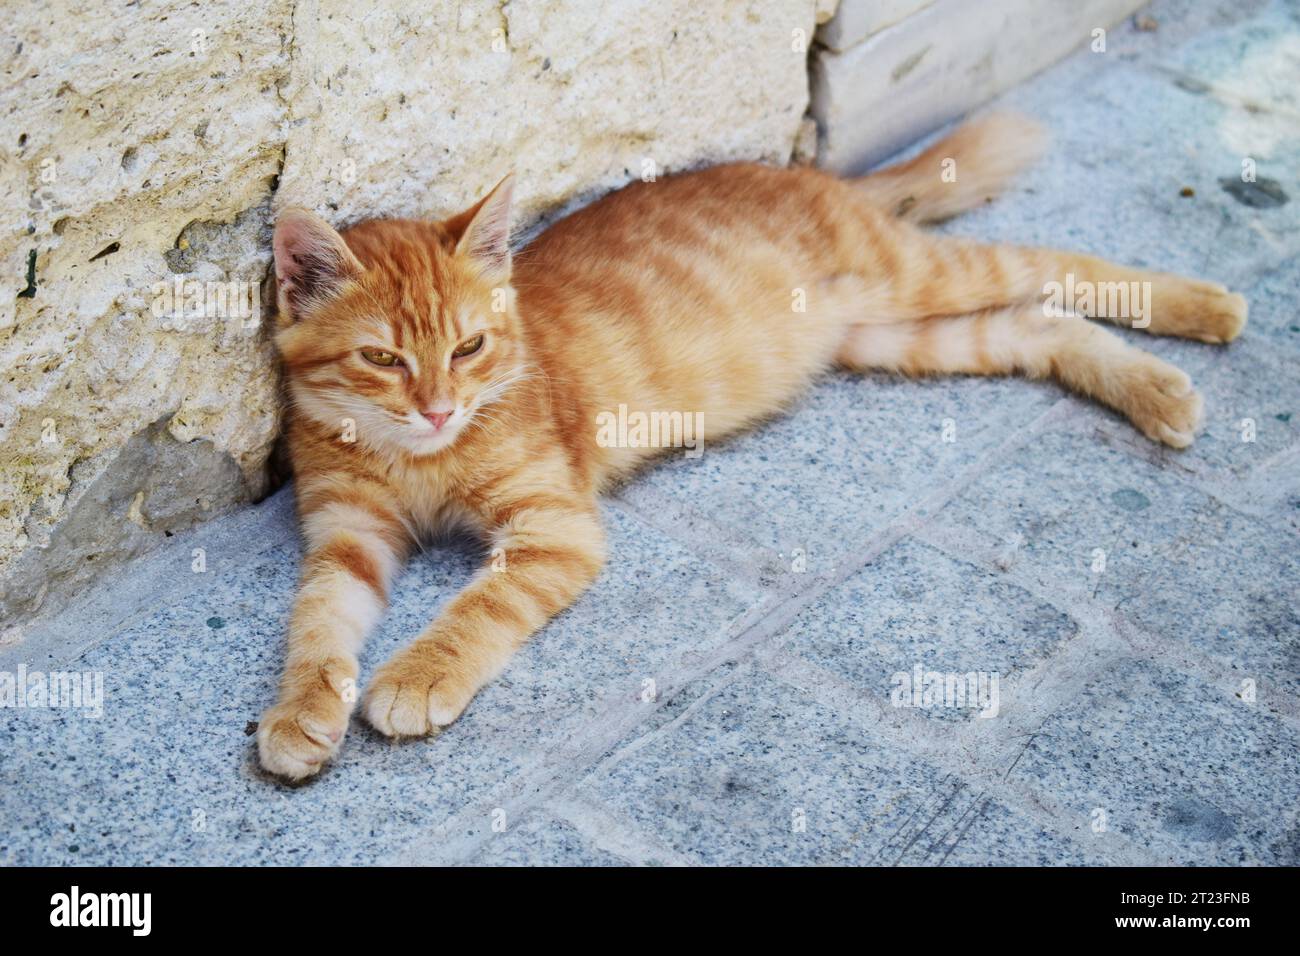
149 146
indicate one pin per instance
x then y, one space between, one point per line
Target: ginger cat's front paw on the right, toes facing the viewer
418 693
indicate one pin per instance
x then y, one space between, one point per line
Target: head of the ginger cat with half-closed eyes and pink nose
400 332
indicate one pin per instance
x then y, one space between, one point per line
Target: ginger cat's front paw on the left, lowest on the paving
298 736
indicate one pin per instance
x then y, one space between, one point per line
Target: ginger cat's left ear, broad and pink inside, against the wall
313 262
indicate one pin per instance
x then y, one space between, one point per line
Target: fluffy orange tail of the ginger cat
960 172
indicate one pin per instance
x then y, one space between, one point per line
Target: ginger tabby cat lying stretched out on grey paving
436 382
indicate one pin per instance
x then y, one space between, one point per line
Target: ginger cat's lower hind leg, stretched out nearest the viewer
1154 395
